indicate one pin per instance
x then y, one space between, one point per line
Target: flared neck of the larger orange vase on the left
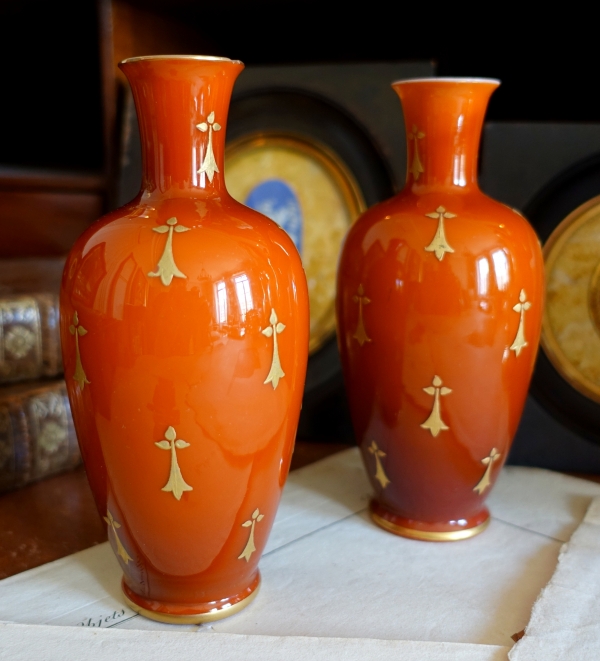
182 105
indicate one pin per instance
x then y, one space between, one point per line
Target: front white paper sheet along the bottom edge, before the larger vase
25 643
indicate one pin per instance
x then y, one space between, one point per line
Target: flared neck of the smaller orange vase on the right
443 119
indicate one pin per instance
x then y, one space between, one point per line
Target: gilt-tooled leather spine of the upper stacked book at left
29 337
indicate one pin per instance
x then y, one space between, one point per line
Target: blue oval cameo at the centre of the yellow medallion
278 201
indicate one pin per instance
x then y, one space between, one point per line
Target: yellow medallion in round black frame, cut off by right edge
566 381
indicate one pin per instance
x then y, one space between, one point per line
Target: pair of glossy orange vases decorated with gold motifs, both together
185 328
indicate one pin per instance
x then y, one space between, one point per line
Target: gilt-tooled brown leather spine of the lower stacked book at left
37 436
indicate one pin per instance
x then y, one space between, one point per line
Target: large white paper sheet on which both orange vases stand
329 572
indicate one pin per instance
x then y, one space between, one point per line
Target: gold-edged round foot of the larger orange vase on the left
179 614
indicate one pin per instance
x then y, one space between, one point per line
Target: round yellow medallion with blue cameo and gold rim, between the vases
308 191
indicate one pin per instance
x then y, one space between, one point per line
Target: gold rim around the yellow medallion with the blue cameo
340 174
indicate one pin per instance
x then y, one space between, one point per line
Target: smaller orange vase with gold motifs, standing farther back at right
439 301
